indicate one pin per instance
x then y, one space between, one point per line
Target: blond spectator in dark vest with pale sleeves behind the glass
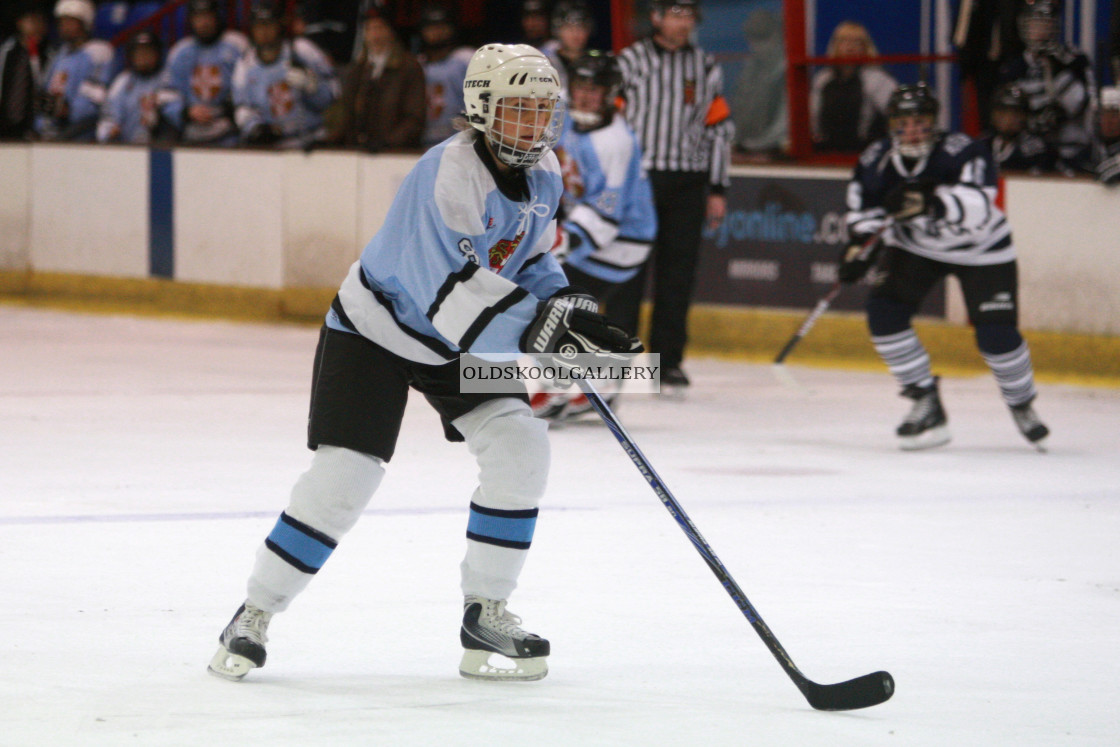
845 89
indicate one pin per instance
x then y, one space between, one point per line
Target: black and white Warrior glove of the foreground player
563 331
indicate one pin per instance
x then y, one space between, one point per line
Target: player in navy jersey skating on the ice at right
934 195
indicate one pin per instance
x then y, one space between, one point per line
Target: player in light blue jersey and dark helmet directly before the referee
610 221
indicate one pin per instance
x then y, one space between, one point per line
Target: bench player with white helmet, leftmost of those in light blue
77 81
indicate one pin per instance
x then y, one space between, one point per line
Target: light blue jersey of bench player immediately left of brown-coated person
290 94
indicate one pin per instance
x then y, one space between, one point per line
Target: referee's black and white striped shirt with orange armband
676 107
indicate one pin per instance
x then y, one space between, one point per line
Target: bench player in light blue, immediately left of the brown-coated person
282 88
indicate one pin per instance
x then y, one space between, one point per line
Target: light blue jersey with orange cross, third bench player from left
202 74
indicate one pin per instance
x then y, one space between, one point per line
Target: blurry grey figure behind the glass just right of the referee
760 104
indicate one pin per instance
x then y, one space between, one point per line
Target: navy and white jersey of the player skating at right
973 229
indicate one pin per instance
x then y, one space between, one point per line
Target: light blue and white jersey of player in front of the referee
608 200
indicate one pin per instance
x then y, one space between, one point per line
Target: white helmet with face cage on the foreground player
512 96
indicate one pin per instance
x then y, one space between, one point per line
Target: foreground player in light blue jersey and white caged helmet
462 264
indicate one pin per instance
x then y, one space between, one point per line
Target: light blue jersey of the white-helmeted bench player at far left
80 77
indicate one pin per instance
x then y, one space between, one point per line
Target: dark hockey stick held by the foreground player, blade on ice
862 693
